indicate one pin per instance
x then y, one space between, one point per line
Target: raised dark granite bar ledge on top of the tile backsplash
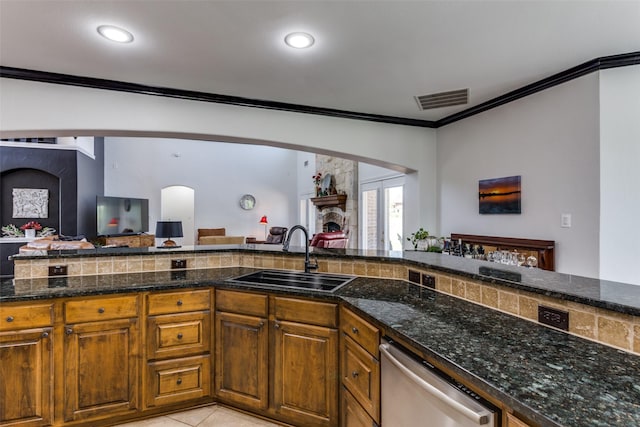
615 296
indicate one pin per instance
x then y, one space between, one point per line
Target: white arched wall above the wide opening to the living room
34 109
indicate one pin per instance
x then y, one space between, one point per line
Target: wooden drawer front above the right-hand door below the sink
305 311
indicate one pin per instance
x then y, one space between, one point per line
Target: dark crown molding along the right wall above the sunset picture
602 63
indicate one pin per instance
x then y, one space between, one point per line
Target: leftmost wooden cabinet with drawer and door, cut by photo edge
26 365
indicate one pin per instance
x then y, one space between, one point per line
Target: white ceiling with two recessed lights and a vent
369 56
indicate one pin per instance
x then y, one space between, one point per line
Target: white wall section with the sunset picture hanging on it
551 139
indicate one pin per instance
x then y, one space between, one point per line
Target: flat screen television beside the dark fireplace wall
121 216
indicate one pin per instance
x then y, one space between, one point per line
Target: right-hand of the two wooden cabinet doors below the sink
305 374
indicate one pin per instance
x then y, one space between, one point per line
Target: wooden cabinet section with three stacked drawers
178 347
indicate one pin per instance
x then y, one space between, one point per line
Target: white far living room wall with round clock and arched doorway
220 173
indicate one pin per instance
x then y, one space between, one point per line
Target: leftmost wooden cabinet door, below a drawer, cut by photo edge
26 382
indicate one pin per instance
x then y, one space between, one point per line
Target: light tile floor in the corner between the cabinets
209 416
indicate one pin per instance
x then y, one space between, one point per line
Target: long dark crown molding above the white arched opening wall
95 83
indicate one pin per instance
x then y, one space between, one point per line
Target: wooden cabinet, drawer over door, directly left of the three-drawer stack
100 357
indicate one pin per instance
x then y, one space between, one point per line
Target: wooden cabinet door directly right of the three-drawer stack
242 360
